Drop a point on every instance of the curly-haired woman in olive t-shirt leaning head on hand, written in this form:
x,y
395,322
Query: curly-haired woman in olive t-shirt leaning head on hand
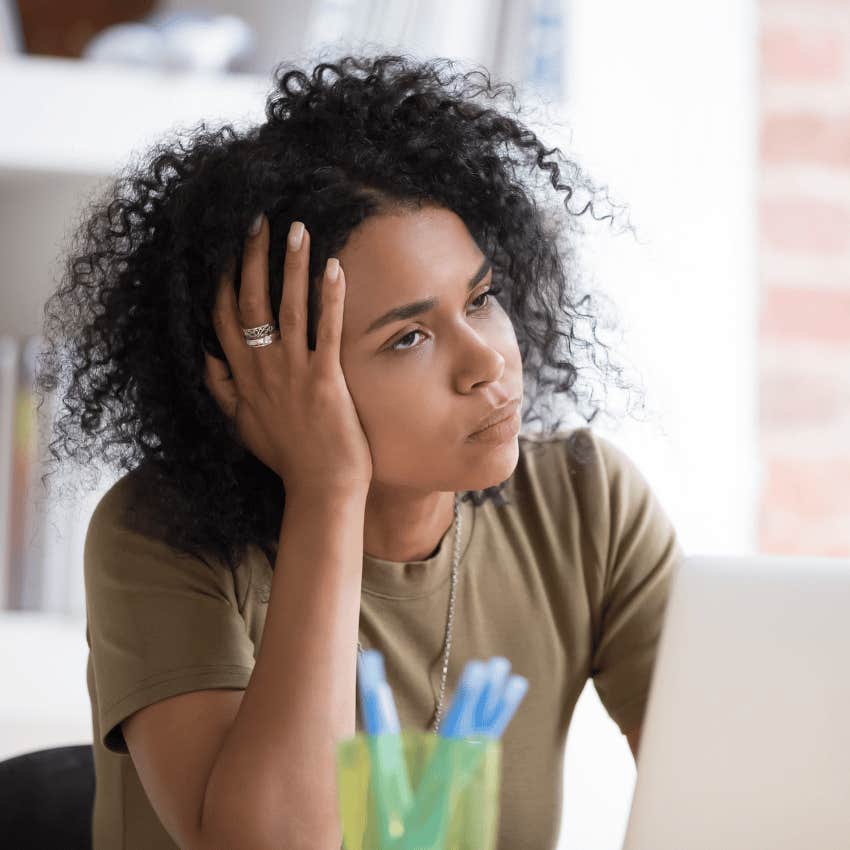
x,y
294,492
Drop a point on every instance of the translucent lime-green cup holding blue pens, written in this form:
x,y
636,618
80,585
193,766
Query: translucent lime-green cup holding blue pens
x,y
455,793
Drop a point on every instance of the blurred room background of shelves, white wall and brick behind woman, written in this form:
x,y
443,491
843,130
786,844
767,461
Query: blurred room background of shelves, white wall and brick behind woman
x,y
725,129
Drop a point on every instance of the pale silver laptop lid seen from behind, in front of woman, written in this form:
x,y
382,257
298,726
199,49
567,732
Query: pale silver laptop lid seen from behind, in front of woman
x,y
746,739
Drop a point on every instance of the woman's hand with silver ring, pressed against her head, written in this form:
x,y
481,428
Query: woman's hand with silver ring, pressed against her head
x,y
291,406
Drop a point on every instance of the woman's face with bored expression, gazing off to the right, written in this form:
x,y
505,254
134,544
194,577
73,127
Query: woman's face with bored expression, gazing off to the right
x,y
422,384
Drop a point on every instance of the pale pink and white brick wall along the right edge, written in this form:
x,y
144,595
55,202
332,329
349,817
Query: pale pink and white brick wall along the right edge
x,y
804,270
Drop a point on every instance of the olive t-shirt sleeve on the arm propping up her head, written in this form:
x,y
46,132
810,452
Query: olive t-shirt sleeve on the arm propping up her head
x,y
160,622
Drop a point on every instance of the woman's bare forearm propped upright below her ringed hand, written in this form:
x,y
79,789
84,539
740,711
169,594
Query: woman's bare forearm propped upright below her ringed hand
x,y
273,784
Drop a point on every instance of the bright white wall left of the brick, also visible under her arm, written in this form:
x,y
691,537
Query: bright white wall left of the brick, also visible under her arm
x,y
662,102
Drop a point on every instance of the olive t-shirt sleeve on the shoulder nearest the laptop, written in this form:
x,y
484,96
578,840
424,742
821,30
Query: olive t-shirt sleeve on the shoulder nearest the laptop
x,y
642,558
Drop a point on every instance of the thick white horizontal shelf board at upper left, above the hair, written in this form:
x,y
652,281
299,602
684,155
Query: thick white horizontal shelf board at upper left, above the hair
x,y
70,116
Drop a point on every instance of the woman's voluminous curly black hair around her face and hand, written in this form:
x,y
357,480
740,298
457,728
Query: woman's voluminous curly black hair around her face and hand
x,y
125,330
